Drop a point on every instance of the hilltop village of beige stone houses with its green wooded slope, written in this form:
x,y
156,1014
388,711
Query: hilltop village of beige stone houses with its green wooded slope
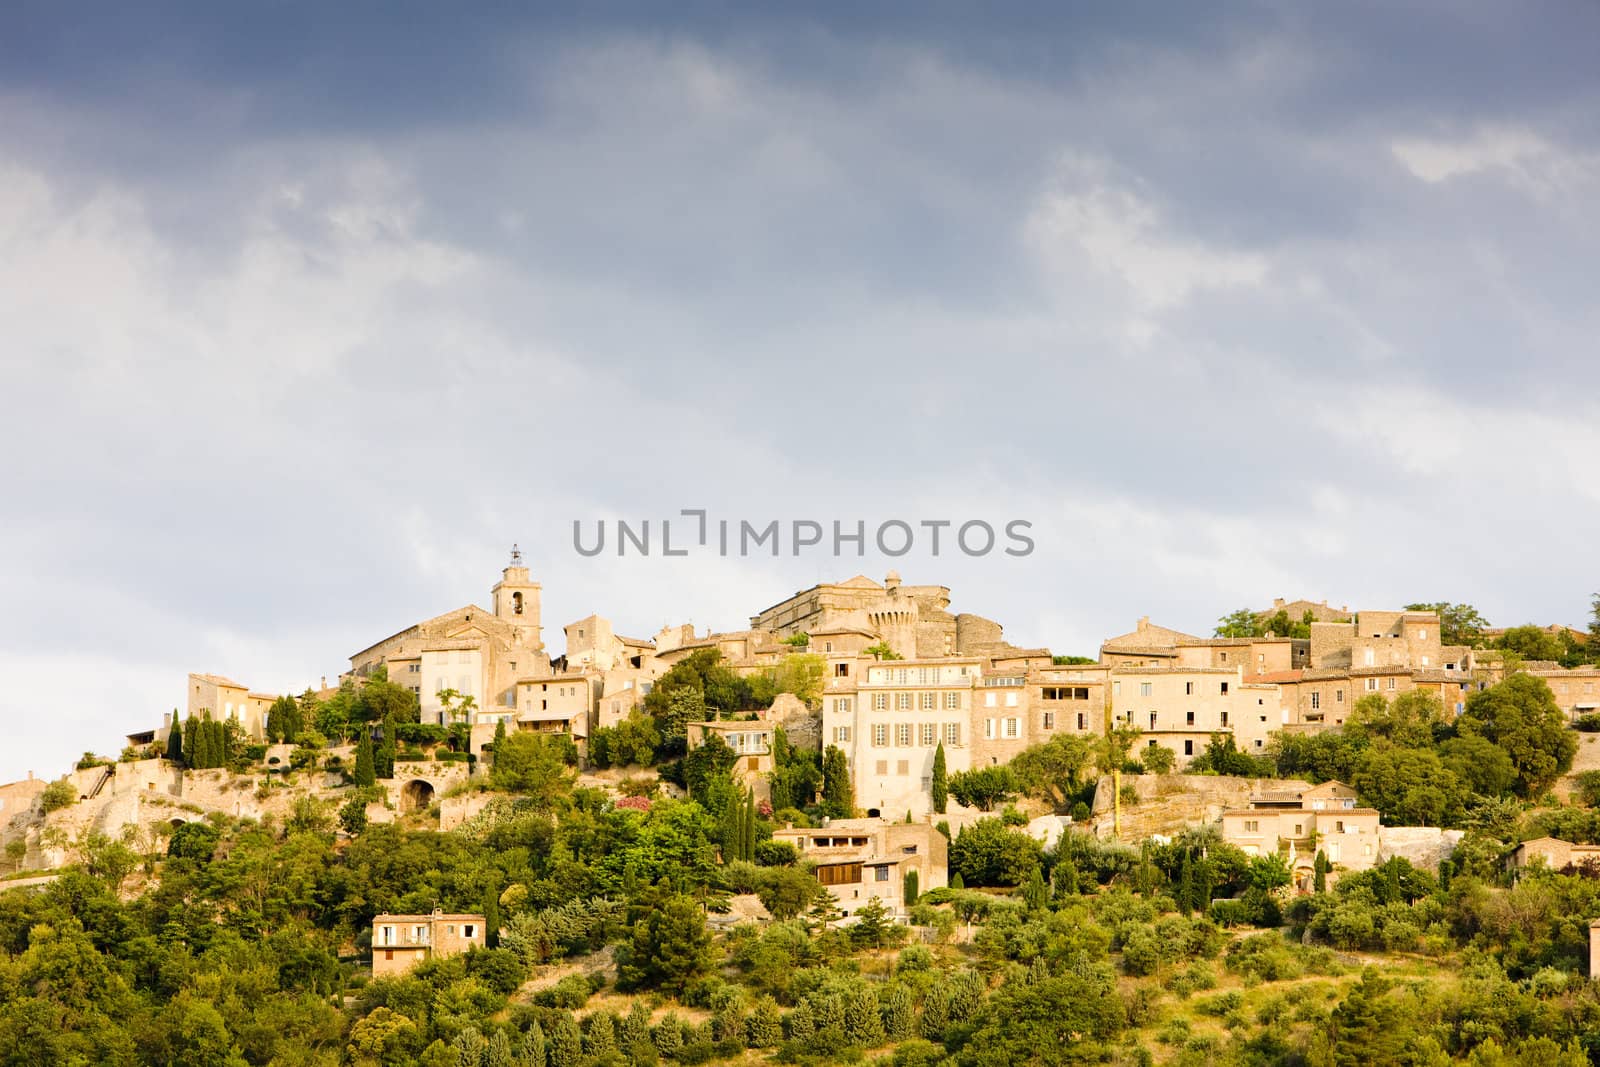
x,y
862,826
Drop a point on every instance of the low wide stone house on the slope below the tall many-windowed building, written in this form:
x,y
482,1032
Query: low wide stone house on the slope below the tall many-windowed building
x,y
860,860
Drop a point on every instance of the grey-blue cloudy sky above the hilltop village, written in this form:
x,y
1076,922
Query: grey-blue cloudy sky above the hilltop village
x,y
306,316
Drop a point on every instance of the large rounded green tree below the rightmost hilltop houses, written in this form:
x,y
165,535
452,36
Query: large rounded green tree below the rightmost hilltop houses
x,y
1522,717
